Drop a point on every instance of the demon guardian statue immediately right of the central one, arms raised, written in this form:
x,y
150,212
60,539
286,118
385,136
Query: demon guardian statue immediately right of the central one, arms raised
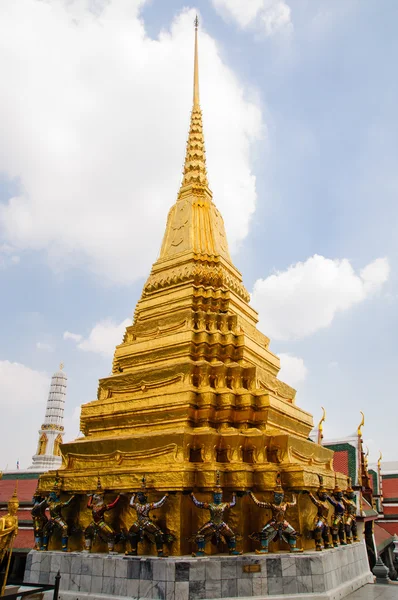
x,y
277,526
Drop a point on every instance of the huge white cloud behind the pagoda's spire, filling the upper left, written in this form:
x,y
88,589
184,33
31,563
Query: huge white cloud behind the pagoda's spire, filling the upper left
x,y
97,136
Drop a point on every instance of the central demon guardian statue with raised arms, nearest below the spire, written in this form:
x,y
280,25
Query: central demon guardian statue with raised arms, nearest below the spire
x,y
216,525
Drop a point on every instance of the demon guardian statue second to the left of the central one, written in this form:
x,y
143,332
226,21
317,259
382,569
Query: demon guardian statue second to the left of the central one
x,y
98,527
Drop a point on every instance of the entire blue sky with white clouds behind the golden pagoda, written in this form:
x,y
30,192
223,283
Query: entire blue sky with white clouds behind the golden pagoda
x,y
299,106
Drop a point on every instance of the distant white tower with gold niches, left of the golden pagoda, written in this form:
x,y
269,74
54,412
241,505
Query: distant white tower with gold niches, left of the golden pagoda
x,y
48,454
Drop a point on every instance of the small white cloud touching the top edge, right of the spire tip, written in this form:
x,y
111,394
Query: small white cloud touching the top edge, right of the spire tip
x,y
269,16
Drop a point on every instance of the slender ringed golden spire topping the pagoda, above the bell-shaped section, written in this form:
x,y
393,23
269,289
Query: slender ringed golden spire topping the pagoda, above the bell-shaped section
x,y
194,173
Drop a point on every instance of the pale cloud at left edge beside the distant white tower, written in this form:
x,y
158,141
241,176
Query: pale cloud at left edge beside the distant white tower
x,y
23,397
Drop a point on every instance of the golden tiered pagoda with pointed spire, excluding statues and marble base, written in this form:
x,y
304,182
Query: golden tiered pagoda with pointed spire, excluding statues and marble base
x,y
194,386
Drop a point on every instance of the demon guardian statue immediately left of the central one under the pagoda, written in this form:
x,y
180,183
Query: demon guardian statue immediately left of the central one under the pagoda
x,y
143,525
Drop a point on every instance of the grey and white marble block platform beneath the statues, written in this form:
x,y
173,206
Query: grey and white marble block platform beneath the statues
x,y
331,575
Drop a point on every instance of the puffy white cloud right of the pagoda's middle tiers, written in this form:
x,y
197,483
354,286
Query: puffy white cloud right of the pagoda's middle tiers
x,y
307,296
